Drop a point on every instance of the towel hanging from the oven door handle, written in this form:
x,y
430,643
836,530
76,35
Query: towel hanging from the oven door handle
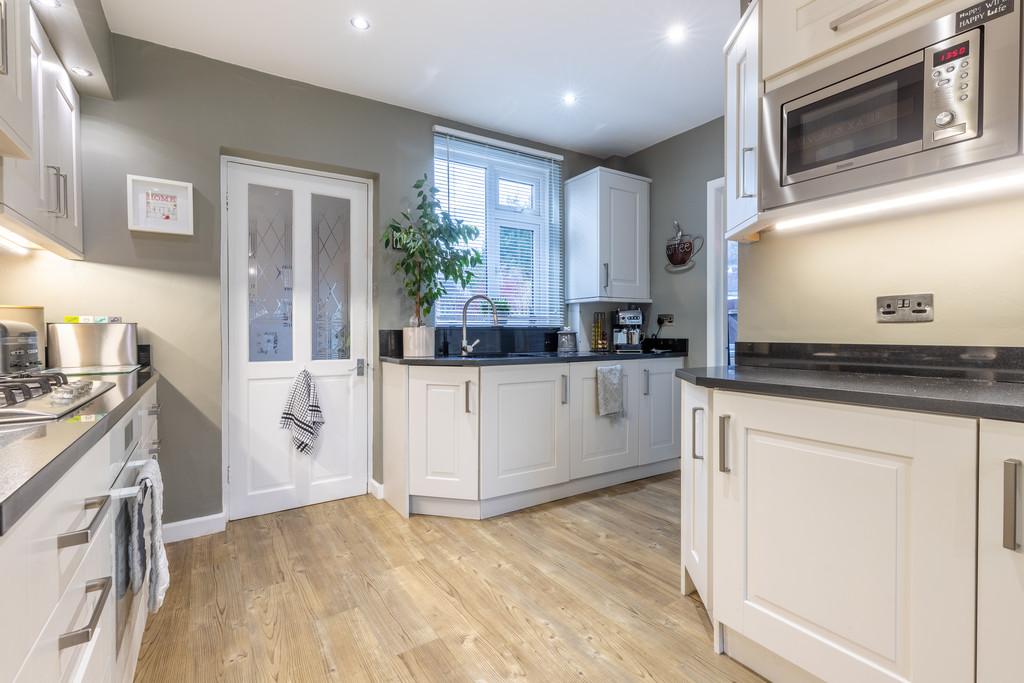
x,y
150,482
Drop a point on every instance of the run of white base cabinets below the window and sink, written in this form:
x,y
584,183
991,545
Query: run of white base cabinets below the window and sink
x,y
476,442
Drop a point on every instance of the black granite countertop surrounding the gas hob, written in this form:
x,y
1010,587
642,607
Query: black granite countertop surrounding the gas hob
x,y
33,458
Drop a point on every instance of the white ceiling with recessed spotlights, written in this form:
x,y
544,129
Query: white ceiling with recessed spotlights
x,y
502,66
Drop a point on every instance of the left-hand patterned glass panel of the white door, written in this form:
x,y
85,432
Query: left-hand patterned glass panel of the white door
x,y
270,274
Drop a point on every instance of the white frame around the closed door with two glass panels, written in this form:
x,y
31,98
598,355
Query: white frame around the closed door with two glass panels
x,y
226,317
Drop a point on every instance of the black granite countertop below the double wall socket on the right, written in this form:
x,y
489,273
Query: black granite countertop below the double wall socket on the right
x,y
967,398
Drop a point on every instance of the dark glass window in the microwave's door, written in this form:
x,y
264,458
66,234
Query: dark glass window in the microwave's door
x,y
884,114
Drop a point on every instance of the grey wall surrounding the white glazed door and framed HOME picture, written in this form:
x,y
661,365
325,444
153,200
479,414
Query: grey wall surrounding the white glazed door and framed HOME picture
x,y
175,114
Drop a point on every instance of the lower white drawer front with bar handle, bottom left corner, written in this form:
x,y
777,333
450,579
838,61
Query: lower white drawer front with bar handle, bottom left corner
x,y
67,650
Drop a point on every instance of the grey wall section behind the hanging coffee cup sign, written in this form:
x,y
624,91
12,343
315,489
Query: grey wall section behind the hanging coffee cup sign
x,y
680,168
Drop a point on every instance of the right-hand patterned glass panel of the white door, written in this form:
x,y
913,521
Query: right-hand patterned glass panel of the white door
x,y
332,254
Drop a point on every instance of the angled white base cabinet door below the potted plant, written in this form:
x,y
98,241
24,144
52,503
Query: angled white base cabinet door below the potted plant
x,y
445,433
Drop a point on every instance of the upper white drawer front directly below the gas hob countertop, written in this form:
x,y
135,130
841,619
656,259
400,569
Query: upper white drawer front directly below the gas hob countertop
x,y
34,571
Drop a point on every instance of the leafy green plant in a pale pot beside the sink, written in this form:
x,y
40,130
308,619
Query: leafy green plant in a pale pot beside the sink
x,y
435,251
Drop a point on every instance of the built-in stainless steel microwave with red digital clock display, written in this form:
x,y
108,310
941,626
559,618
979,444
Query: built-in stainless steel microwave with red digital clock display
x,y
946,96
